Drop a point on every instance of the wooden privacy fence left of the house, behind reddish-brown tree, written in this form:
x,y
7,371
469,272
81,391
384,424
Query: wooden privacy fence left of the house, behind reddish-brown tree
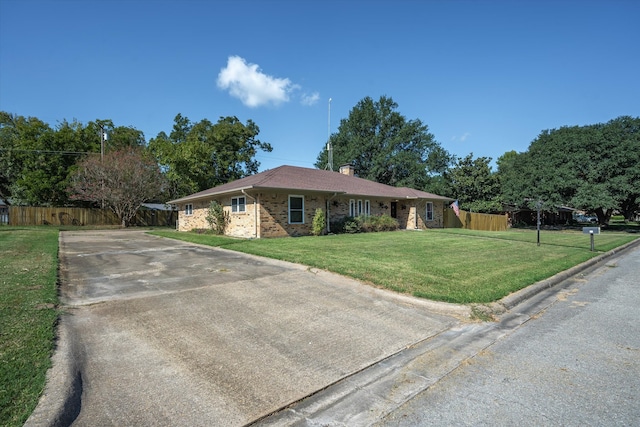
x,y
28,215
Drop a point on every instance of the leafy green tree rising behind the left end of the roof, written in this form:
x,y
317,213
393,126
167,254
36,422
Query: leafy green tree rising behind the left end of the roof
x,y
199,156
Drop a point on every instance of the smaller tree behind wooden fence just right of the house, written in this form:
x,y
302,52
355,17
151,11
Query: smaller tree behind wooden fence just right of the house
x,y
474,184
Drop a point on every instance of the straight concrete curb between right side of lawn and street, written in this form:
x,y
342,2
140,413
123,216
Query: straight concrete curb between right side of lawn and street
x,y
516,298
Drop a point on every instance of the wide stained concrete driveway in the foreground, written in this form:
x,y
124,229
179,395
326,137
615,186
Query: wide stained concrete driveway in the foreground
x,y
171,333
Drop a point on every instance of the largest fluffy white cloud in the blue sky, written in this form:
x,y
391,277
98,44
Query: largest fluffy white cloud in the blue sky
x,y
249,84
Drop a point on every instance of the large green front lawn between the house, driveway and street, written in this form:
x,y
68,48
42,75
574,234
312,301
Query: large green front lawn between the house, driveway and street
x,y
444,265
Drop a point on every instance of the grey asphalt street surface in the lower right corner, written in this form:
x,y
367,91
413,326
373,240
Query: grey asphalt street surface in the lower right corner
x,y
574,363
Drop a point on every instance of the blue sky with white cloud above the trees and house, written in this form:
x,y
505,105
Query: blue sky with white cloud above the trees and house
x,y
485,76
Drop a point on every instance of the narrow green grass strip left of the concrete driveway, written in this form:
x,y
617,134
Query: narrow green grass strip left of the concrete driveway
x,y
28,314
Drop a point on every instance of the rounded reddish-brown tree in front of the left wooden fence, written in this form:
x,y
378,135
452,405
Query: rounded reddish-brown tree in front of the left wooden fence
x,y
122,181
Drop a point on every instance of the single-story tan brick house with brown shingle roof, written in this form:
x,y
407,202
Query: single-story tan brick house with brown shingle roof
x,y
283,201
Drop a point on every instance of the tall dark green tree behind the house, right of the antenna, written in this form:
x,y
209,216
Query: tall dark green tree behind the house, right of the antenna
x,y
384,147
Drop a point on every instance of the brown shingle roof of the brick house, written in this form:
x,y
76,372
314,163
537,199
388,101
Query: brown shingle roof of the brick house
x,y
305,179
